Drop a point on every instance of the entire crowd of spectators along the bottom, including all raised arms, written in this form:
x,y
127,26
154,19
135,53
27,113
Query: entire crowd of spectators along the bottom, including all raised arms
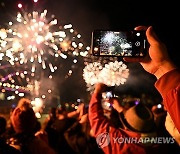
x,y
107,125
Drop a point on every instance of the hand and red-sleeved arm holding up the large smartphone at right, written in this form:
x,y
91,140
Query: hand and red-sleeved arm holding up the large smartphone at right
x,y
158,63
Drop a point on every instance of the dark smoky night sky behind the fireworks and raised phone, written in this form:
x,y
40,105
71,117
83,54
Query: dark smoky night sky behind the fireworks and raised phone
x,y
87,15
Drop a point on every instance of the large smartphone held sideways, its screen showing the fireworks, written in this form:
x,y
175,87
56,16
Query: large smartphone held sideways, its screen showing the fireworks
x,y
119,43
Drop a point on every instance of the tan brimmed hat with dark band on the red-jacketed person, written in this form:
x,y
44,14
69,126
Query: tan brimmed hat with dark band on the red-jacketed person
x,y
138,118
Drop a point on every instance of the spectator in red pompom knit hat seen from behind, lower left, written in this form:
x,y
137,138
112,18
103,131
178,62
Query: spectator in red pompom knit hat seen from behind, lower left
x,y
24,123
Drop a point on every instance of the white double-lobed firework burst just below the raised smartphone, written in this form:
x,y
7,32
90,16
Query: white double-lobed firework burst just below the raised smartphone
x,y
112,74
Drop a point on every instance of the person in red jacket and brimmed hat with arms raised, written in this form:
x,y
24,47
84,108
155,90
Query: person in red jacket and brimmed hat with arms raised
x,y
137,134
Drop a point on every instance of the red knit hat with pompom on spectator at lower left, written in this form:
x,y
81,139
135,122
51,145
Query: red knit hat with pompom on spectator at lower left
x,y
23,119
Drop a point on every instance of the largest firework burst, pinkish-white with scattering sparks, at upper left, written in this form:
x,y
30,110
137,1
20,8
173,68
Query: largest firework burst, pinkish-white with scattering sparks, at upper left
x,y
36,39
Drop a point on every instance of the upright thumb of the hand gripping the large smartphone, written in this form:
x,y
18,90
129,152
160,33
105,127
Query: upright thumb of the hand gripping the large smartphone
x,y
151,36
